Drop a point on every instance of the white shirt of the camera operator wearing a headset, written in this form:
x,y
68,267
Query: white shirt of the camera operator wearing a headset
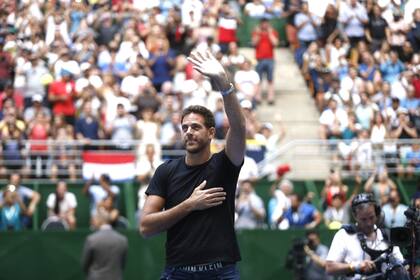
x,y
346,248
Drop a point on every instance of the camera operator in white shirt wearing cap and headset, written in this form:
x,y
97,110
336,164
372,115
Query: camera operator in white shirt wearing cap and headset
x,y
355,247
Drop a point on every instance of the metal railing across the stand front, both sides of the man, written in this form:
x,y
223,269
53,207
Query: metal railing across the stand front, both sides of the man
x,y
310,158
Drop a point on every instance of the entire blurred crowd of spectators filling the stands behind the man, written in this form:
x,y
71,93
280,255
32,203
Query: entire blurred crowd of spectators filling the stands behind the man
x,y
117,70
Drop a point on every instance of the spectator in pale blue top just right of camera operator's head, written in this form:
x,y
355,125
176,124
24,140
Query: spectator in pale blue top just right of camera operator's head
x,y
394,211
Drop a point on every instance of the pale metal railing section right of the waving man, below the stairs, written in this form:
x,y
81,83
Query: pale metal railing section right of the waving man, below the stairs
x,y
314,158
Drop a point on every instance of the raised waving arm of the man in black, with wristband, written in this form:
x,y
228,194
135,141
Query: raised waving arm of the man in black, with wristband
x,y
207,64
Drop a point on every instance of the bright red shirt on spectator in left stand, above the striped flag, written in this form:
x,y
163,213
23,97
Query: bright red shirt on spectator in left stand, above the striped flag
x,y
61,88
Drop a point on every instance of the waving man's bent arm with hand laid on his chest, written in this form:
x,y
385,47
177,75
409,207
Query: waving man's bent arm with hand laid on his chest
x,y
154,220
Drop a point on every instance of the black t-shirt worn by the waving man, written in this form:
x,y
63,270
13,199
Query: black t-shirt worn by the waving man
x,y
204,235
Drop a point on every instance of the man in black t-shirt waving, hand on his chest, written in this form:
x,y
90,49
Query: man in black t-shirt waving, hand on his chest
x,y
192,198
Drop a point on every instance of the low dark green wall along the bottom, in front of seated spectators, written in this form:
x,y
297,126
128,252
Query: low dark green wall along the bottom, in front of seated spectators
x,y
56,255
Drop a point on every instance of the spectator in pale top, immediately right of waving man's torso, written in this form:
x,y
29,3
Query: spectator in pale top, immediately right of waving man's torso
x,y
250,209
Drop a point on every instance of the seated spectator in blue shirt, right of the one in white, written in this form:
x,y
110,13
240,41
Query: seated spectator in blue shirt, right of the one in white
x,y
301,214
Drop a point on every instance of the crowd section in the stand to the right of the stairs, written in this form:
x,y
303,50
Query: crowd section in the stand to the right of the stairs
x,y
361,62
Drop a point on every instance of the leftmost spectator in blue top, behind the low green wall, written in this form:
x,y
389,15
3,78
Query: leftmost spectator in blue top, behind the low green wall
x,y
12,210
